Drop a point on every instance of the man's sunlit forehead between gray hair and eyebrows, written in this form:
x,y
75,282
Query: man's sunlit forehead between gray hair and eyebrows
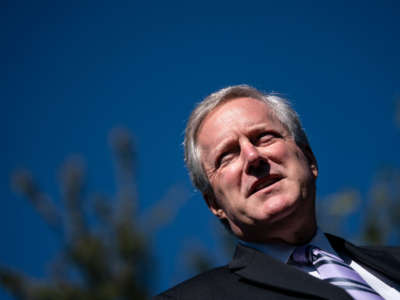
x,y
240,114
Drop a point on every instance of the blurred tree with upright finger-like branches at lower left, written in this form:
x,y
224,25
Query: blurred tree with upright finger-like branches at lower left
x,y
105,251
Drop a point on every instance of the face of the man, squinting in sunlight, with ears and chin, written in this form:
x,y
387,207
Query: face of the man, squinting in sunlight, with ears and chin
x,y
262,181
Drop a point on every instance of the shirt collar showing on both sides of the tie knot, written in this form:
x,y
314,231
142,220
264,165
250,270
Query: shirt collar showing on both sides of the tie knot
x,y
282,252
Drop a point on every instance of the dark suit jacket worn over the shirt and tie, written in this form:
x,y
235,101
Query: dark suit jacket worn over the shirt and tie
x,y
254,275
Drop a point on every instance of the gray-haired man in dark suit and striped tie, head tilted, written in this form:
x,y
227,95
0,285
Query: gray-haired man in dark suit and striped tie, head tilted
x,y
249,156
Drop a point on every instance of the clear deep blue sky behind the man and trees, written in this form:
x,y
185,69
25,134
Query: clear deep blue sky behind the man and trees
x,y
71,72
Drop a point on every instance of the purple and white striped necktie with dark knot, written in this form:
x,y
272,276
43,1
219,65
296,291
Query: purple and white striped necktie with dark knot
x,y
334,270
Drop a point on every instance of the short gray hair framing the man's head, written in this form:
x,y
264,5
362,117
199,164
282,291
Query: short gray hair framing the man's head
x,y
280,108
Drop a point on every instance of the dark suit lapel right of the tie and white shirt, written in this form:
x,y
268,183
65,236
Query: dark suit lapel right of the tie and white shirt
x,y
375,258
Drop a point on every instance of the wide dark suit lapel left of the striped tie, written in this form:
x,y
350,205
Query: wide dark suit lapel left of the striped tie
x,y
259,268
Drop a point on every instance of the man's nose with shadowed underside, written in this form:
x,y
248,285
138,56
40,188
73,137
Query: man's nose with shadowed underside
x,y
255,163
